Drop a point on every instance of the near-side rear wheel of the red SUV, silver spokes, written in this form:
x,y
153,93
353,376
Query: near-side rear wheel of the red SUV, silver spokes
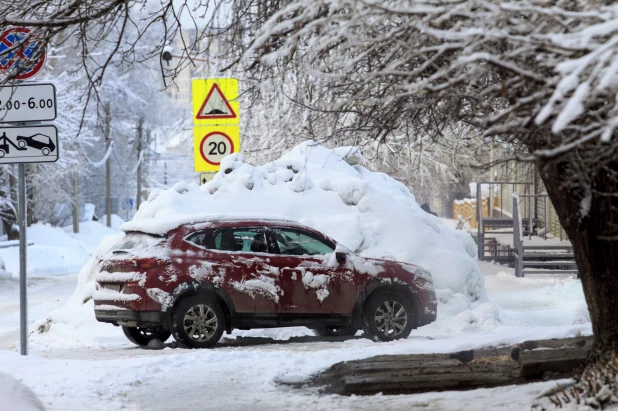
x,y
198,322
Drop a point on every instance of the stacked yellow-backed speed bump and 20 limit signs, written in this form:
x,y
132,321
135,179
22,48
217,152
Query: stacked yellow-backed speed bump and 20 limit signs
x,y
216,115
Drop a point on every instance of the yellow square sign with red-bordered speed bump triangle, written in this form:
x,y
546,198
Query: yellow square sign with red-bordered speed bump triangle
x,y
215,101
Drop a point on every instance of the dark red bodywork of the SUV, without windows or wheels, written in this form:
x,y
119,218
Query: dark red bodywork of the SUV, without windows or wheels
x,y
256,285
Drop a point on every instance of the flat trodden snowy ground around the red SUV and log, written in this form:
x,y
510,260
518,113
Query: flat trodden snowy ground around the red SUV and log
x,y
241,375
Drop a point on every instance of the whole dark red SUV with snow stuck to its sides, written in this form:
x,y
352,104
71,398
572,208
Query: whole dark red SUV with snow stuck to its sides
x,y
199,280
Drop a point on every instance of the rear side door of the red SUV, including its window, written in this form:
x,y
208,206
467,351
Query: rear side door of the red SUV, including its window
x,y
235,259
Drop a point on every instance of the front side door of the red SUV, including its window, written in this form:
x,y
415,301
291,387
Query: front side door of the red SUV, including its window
x,y
312,282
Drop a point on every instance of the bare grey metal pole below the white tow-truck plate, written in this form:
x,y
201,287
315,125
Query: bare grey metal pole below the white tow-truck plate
x,y
23,296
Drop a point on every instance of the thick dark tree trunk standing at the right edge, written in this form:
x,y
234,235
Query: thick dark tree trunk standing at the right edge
x,y
590,219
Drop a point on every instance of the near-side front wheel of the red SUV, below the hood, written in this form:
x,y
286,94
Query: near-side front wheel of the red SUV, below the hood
x,y
388,316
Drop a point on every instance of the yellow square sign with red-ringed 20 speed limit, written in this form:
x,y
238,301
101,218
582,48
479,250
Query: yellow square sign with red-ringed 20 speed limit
x,y
212,143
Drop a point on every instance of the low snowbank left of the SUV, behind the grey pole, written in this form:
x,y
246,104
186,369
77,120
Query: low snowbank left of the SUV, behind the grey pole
x,y
56,251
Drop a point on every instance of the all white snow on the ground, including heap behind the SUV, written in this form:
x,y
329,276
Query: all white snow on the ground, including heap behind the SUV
x,y
77,363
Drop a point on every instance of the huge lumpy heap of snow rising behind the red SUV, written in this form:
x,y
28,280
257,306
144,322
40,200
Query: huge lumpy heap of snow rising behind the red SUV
x,y
368,212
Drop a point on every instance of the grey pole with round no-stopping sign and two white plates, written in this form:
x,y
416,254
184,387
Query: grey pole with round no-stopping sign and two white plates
x,y
25,105
